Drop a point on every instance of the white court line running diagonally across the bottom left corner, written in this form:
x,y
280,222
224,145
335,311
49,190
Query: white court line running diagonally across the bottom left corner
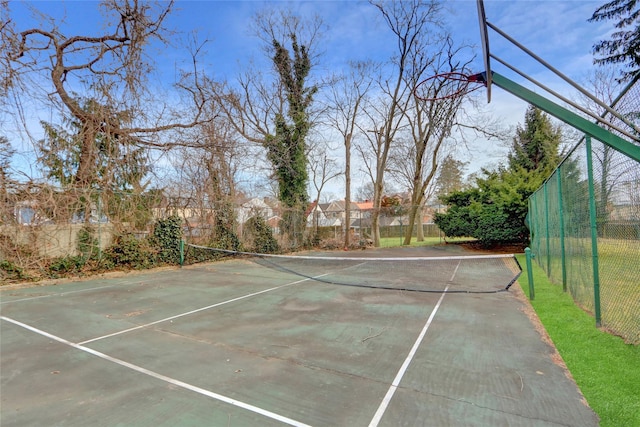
x,y
161,377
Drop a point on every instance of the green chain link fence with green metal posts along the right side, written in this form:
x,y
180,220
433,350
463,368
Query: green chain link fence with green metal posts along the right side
x,y
585,227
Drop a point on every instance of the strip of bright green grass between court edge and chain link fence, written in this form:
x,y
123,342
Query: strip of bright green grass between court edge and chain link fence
x,y
605,368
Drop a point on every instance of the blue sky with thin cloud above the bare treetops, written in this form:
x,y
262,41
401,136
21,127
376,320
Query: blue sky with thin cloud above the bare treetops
x,y
558,31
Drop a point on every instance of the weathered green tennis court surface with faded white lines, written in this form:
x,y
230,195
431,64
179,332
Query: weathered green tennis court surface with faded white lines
x,y
240,343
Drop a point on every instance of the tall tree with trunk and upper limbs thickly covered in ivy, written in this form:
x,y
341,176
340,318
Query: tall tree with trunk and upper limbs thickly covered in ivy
x,y
274,110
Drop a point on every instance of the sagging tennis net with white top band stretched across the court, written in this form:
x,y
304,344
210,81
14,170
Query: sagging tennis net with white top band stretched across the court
x,y
441,274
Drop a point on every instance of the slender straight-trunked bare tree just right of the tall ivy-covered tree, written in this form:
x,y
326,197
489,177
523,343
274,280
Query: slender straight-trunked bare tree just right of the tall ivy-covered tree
x,y
346,98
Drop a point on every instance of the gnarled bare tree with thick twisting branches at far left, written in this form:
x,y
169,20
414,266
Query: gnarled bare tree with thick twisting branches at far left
x,y
112,69
